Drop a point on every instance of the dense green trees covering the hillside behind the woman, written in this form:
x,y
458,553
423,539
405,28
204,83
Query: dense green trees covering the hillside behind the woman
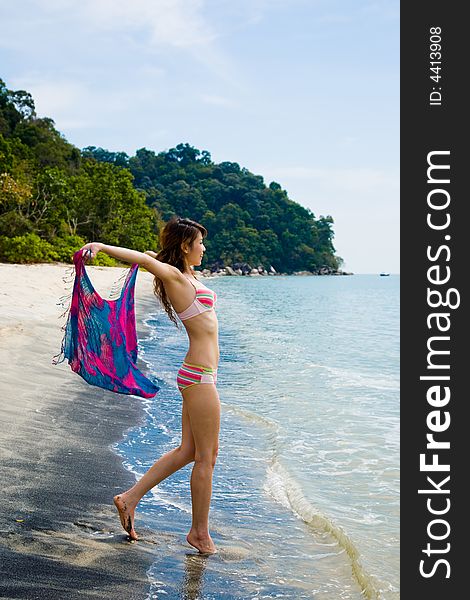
x,y
54,198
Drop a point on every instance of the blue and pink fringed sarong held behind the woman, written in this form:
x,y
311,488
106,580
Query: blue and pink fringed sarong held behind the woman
x,y
100,340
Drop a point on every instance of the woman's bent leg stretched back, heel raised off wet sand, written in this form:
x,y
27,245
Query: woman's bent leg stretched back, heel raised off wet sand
x,y
166,465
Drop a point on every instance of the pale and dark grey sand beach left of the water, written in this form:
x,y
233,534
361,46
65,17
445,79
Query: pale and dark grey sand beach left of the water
x,y
61,536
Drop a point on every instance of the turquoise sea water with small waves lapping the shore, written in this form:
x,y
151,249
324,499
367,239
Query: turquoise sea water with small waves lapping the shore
x,y
305,500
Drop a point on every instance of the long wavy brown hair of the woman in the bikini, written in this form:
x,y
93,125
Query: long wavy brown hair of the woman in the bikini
x,y
176,232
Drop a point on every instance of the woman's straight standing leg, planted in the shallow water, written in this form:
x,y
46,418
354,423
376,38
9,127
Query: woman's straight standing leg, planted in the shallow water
x,y
203,406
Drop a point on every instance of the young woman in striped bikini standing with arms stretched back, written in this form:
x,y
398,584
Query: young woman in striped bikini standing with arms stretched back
x,y
180,292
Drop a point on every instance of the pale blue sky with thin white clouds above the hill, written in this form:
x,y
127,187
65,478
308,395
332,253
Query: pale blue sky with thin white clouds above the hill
x,y
305,93
